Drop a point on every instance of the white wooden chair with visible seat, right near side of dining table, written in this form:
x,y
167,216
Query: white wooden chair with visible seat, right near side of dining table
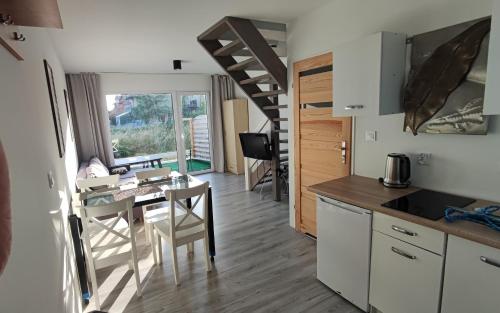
x,y
185,229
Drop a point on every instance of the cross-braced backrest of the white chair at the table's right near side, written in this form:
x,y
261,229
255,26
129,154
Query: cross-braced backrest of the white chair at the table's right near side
x,y
197,195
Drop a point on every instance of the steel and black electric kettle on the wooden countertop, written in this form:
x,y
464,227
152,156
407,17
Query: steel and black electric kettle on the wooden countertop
x,y
397,171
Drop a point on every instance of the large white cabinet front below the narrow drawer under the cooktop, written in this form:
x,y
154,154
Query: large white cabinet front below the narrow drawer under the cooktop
x,y
404,278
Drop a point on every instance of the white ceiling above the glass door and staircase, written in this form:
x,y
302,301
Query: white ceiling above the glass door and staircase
x,y
144,36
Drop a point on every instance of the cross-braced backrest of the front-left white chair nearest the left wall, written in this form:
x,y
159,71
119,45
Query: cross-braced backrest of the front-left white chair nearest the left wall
x,y
104,232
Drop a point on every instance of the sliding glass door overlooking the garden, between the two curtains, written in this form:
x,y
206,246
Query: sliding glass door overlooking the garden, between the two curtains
x,y
173,127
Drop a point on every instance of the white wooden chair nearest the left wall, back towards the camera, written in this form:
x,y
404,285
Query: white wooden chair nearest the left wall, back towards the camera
x,y
109,241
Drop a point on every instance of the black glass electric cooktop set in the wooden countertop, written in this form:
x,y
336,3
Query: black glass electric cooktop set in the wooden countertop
x,y
427,203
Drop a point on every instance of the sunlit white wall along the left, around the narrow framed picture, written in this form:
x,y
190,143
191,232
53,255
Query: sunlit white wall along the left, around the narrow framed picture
x,y
40,275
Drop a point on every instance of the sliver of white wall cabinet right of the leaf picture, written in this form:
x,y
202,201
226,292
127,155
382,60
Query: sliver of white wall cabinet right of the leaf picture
x,y
492,92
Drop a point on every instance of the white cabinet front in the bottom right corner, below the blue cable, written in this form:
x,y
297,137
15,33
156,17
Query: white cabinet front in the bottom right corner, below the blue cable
x,y
471,278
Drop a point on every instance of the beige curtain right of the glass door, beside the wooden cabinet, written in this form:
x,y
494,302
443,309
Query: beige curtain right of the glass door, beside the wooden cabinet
x,y
222,89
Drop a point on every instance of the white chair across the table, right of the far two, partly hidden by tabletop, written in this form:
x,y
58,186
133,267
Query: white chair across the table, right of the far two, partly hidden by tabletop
x,y
153,212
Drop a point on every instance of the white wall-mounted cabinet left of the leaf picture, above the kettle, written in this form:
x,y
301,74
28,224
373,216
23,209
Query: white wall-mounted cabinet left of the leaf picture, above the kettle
x,y
368,75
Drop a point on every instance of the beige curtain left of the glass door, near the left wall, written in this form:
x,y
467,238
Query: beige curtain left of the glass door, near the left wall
x,y
90,117
